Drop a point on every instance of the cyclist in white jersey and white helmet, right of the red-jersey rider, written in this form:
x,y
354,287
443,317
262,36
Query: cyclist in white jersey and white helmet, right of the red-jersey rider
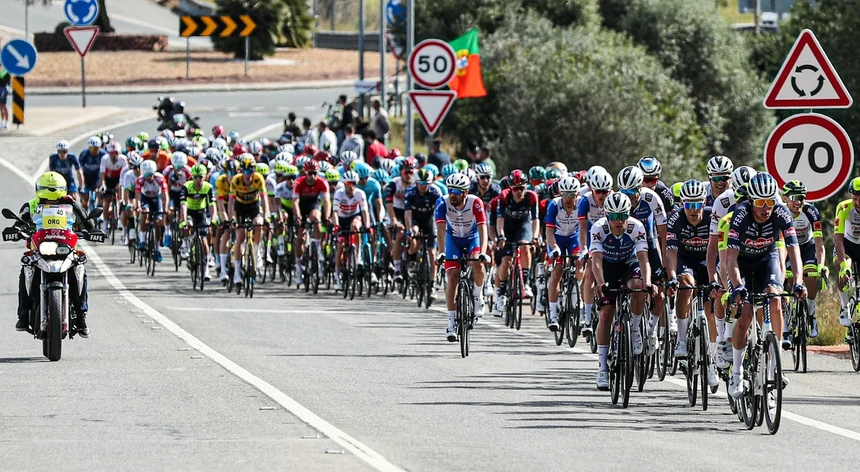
x,y
349,212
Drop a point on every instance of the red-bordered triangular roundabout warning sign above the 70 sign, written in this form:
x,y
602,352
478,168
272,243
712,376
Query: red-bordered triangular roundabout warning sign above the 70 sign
x,y
807,79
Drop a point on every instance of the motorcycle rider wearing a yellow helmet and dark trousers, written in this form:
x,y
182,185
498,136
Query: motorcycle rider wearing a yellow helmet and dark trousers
x,y
51,189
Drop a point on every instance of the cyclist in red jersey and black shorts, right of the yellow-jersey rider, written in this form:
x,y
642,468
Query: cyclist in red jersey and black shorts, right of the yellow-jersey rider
x,y
311,203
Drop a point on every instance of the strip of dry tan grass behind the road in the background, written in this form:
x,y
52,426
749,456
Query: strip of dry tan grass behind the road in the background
x,y
146,68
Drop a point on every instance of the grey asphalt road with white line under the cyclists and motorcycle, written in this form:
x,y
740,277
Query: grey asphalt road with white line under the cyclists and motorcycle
x,y
373,378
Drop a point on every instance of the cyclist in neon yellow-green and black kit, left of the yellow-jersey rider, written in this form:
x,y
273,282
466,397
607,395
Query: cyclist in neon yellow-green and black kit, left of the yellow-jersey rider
x,y
197,202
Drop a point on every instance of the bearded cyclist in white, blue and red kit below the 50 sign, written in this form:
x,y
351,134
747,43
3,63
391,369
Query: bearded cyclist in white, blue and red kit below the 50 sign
x,y
461,224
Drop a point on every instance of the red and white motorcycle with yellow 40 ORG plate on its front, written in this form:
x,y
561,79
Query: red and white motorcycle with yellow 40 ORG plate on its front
x,y
48,263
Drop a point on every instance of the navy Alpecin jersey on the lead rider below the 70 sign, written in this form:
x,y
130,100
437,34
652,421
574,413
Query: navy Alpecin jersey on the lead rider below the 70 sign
x,y
754,239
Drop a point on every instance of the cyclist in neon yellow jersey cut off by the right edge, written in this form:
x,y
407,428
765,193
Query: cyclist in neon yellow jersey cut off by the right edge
x,y
846,242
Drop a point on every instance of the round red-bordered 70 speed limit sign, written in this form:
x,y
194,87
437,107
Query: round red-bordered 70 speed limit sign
x,y
811,148
